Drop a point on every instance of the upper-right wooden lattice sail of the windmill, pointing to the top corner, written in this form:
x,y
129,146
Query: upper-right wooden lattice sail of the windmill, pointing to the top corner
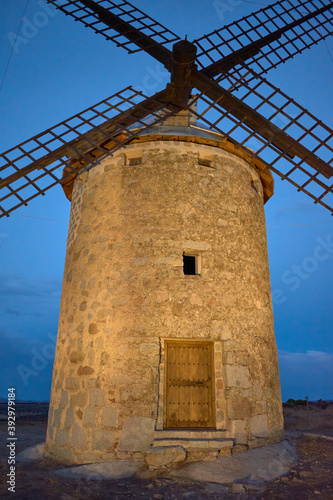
x,y
298,25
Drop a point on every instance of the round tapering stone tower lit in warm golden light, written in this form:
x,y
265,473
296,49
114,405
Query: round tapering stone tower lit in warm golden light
x,y
166,326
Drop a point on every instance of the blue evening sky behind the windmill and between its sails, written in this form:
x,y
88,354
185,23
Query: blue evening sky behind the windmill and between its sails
x,y
58,69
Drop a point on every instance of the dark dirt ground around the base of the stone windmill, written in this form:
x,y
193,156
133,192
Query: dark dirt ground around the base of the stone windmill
x,y
310,478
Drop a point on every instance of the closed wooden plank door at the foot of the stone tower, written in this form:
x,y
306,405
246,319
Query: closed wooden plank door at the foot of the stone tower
x,y
189,395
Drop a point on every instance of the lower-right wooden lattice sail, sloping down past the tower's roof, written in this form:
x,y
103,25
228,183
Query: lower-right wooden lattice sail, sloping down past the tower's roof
x,y
291,141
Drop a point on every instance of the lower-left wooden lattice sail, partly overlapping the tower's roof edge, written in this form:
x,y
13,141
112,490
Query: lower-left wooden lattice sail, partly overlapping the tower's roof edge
x,y
36,165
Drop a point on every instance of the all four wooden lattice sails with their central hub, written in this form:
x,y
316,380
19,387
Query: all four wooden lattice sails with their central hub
x,y
239,103
